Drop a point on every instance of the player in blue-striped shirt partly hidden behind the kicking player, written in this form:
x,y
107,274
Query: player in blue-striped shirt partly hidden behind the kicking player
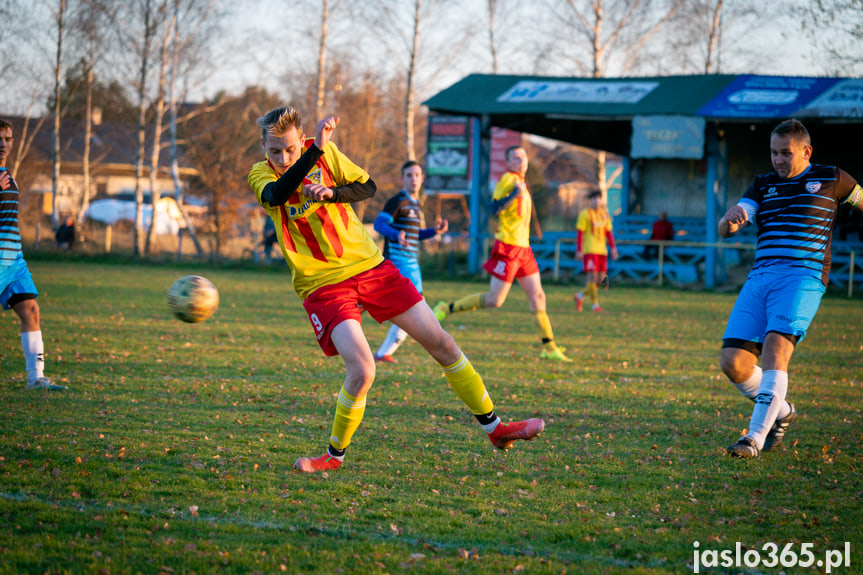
x,y
400,223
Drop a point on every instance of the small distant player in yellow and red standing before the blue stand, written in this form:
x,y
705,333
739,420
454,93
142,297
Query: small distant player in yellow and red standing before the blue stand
x,y
593,231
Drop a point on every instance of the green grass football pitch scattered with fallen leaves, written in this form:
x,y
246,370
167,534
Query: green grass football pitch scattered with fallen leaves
x,y
172,451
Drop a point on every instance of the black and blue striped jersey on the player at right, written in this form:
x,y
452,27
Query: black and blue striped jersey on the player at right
x,y
795,219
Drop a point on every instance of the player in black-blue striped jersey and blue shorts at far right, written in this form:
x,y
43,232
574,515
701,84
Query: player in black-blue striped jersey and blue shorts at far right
x,y
795,209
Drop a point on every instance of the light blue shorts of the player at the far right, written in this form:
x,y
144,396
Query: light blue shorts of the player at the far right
x,y
772,302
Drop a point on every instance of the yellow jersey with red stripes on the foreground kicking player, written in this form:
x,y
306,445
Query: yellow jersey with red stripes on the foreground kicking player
x,y
323,242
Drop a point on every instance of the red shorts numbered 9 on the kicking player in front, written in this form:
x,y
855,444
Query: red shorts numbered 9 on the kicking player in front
x,y
382,291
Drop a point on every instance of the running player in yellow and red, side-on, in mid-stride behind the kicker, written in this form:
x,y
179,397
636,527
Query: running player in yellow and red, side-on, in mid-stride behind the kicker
x,y
511,258
